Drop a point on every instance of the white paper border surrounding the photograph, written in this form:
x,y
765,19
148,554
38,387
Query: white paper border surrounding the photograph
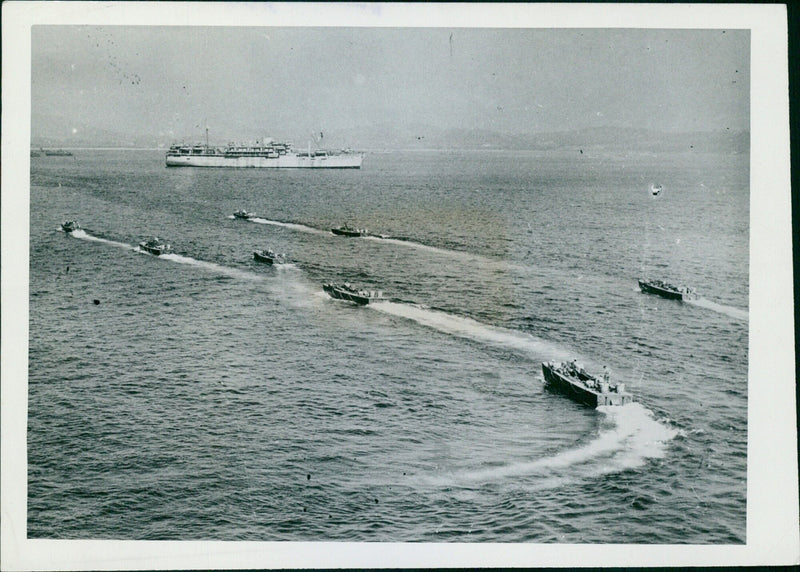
x,y
772,495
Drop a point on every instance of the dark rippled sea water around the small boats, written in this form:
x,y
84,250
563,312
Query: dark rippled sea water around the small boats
x,y
209,397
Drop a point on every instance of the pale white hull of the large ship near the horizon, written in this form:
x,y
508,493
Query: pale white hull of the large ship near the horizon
x,y
346,161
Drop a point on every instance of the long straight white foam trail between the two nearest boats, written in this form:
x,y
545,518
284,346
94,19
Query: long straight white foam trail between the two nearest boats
x,y
474,330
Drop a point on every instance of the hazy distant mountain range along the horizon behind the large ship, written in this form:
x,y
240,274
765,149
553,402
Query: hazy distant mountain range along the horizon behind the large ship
x,y
54,133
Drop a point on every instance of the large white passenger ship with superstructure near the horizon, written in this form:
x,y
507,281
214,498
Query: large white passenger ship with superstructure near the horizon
x,y
264,154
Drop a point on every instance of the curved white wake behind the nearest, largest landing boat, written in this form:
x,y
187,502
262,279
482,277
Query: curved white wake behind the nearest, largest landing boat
x,y
629,436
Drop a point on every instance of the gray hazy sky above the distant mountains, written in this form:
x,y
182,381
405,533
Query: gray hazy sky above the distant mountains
x,y
285,81
